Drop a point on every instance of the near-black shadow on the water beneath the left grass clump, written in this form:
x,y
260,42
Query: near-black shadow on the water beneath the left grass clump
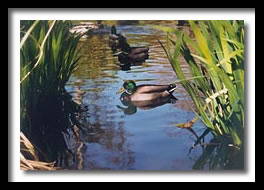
x,y
54,119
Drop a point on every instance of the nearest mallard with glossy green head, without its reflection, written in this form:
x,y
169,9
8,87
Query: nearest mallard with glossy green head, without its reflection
x,y
147,92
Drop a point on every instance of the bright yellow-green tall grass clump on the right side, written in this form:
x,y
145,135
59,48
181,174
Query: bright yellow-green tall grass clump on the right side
x,y
216,61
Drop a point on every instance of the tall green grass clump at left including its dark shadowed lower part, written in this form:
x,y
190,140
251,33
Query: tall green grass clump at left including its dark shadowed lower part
x,y
48,55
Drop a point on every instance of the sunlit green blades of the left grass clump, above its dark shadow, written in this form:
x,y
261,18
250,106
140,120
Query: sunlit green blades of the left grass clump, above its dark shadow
x,y
48,55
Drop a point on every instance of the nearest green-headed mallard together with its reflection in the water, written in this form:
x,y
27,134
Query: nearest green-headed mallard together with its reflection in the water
x,y
145,96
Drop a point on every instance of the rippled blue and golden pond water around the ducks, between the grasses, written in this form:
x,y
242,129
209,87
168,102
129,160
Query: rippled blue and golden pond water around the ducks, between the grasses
x,y
115,137
